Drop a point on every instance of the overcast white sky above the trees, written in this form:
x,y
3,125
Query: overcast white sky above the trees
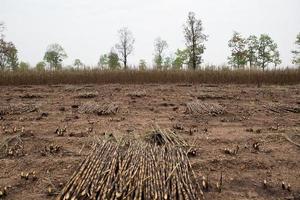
x,y
88,28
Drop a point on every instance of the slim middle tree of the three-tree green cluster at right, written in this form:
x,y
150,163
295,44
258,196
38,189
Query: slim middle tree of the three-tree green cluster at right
x,y
252,50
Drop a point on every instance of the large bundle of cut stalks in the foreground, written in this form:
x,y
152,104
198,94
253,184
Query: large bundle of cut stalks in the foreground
x,y
133,170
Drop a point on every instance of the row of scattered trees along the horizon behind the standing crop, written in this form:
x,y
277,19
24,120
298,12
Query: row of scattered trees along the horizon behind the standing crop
x,y
253,51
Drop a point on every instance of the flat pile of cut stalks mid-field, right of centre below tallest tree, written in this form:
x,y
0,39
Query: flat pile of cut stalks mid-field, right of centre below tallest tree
x,y
200,107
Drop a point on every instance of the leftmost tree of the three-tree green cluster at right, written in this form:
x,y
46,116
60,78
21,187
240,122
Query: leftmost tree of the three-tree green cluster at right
x,y
237,44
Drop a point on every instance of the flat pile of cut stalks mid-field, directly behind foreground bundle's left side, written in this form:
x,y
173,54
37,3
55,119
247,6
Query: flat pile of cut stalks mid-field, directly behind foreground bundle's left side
x,y
94,108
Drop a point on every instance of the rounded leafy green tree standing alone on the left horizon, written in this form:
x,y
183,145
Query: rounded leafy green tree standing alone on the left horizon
x,y
54,55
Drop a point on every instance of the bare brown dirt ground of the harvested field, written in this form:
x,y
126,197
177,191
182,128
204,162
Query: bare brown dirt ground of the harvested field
x,y
252,117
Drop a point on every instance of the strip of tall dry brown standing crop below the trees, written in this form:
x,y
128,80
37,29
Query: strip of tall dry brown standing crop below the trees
x,y
96,76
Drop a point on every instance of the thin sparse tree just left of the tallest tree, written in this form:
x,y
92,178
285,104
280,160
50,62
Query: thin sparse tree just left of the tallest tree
x,y
159,47
